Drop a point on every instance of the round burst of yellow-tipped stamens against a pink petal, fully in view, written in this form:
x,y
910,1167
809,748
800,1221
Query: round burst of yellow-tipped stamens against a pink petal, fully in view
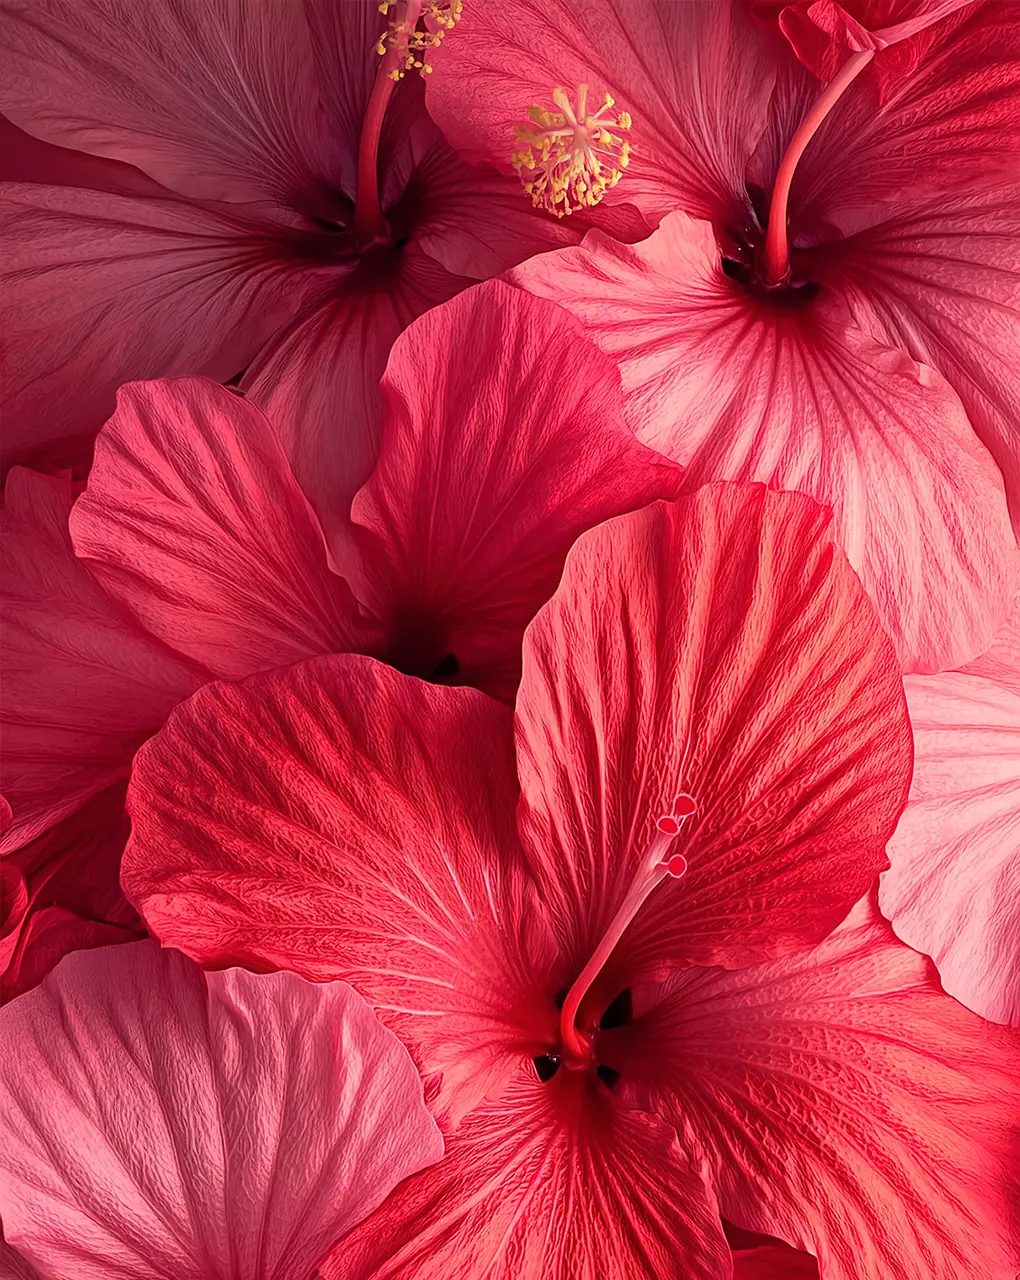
x,y
566,159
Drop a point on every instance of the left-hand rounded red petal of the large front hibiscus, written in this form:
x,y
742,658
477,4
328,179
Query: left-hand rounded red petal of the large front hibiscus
x,y
339,819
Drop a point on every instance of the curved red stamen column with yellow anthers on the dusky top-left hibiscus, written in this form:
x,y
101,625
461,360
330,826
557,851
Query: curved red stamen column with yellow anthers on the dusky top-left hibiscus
x,y
415,29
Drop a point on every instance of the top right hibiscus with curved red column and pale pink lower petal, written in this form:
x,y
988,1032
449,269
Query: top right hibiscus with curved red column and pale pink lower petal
x,y
831,300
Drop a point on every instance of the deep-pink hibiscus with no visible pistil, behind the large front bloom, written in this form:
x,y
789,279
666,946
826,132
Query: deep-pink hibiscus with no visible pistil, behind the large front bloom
x,y
199,557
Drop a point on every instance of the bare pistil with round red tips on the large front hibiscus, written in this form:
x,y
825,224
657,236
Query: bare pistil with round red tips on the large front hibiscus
x,y
657,866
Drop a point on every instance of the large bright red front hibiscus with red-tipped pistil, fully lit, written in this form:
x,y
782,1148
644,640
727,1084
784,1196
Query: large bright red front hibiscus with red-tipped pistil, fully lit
x,y
711,753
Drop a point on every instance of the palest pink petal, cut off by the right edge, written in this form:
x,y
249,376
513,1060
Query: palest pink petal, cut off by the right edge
x,y
953,889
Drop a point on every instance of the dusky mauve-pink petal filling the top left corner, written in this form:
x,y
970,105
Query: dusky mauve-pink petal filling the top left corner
x,y
214,102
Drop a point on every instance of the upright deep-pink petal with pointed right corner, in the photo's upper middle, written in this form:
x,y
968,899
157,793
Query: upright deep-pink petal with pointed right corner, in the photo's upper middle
x,y
477,500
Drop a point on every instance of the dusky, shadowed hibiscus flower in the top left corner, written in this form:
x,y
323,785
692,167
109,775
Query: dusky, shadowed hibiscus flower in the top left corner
x,y
269,199
